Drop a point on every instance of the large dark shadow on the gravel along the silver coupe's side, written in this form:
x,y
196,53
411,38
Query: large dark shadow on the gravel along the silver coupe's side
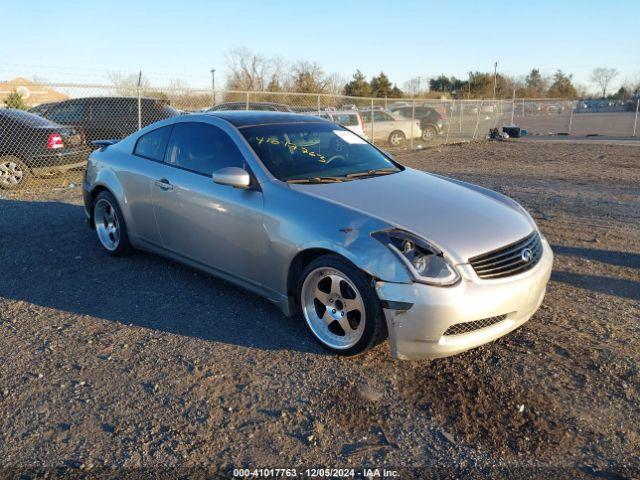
x,y
52,259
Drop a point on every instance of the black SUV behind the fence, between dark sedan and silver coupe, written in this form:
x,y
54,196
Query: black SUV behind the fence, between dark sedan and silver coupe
x,y
107,117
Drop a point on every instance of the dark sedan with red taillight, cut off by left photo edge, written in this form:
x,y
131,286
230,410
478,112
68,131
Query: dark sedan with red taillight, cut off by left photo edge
x,y
34,146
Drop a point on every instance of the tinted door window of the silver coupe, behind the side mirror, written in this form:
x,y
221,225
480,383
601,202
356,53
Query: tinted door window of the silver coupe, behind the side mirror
x,y
202,148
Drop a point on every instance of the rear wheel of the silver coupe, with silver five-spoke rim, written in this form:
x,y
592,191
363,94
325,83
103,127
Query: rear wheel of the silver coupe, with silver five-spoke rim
x,y
110,225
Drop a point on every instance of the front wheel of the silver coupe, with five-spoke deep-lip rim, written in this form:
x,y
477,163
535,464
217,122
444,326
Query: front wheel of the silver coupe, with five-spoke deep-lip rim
x,y
339,306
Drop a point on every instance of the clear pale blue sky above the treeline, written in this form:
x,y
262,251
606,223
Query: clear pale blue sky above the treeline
x,y
79,41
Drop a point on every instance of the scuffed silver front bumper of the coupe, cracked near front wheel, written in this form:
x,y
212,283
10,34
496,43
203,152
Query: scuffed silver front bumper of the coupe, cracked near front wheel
x,y
419,331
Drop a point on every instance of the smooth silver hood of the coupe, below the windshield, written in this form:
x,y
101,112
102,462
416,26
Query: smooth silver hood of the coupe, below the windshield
x,y
461,221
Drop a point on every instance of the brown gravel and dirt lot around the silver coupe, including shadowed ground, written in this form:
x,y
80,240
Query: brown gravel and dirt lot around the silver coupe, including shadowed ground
x,y
140,362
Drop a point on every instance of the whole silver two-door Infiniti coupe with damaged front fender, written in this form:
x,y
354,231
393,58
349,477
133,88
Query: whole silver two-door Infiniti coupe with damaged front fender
x,y
326,226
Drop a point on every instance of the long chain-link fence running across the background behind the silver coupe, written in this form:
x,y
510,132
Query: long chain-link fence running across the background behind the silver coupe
x,y
45,141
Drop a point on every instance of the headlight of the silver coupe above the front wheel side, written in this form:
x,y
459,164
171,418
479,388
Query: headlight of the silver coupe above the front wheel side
x,y
425,262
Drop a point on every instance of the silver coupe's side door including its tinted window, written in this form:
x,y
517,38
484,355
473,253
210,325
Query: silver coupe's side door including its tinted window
x,y
218,226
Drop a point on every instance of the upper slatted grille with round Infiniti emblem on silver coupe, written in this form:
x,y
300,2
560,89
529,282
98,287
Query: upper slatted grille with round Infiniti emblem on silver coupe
x,y
509,260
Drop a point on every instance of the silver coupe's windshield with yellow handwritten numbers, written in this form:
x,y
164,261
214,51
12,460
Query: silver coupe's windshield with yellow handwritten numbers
x,y
323,150
